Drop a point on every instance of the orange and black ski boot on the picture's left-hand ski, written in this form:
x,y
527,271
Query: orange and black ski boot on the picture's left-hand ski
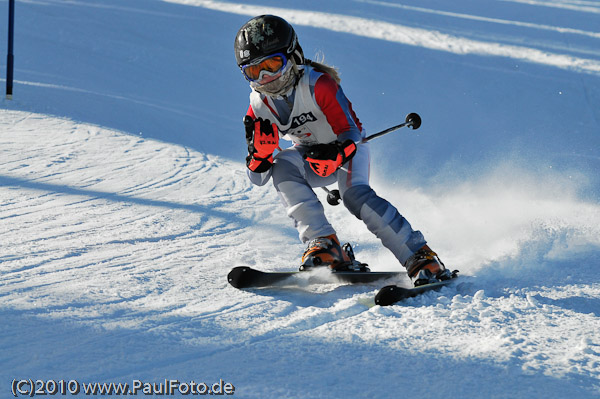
x,y
326,251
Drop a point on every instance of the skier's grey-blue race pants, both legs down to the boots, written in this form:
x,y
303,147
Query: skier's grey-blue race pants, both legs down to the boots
x,y
294,180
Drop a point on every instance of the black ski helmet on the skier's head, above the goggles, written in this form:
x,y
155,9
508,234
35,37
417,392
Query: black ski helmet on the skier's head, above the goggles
x,y
265,35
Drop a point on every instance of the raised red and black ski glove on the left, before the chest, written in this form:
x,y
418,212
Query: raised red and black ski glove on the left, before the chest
x,y
263,139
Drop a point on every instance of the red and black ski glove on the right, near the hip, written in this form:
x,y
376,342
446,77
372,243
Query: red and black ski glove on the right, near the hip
x,y
325,159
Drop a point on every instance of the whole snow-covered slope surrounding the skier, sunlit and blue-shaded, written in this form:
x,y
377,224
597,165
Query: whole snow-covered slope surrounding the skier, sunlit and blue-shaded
x,y
124,201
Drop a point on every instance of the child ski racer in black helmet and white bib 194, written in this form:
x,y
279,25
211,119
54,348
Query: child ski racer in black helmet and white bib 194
x,y
301,100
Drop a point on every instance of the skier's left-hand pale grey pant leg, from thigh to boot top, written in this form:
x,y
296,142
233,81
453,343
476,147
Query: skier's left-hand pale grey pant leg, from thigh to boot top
x,y
293,179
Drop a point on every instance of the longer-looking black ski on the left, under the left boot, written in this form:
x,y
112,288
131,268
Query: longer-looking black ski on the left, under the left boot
x,y
247,277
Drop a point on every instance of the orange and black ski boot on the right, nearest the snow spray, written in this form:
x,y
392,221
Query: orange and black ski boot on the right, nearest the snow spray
x,y
424,267
